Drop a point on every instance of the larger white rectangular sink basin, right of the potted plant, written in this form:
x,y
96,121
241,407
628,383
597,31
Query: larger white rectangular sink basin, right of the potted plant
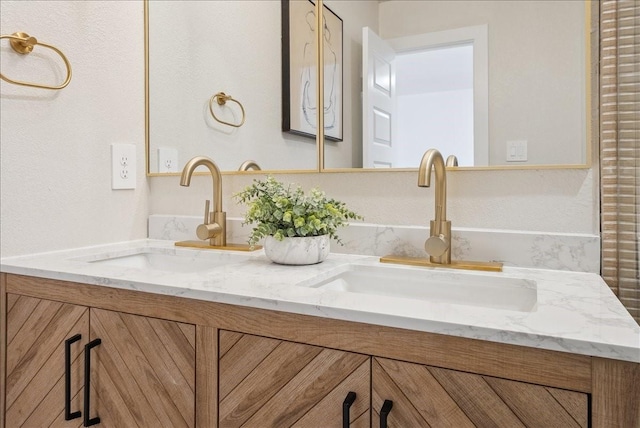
x,y
452,287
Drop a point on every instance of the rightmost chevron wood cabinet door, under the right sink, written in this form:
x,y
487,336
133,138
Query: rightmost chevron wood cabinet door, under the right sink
x,y
426,396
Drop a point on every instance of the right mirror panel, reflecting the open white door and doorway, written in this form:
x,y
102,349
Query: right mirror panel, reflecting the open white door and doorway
x,y
496,83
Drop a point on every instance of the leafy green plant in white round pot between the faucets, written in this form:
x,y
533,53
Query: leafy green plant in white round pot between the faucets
x,y
296,227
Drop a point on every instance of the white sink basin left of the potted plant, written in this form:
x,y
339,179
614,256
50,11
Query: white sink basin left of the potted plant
x,y
168,260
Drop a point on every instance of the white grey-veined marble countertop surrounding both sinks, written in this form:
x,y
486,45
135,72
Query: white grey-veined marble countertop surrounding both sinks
x,y
574,312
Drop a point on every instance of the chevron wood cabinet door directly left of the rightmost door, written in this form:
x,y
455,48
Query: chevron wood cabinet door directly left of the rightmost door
x,y
266,382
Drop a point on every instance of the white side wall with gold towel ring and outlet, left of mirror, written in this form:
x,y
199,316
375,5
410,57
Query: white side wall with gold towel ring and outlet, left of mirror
x,y
55,145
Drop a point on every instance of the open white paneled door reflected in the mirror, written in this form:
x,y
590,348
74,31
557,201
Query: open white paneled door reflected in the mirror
x,y
379,83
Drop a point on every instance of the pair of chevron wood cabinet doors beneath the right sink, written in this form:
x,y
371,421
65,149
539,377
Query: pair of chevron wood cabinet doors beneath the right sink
x,y
265,382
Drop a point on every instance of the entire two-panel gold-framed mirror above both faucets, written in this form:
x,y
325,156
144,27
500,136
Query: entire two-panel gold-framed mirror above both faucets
x,y
522,92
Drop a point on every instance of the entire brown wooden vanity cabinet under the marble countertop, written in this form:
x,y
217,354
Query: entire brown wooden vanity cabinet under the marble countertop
x,y
170,361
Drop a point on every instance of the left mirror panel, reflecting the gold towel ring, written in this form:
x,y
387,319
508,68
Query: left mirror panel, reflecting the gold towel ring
x,y
197,49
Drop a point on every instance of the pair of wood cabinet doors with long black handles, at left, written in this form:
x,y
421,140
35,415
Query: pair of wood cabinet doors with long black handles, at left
x,y
142,369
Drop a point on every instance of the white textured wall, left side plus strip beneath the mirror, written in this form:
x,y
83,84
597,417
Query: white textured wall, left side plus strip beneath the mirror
x,y
55,188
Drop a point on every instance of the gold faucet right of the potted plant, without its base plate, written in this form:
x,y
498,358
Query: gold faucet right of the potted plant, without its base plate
x,y
438,245
